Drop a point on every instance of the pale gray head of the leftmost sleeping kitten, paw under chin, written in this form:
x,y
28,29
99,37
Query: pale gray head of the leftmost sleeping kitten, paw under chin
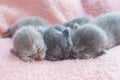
x,y
28,44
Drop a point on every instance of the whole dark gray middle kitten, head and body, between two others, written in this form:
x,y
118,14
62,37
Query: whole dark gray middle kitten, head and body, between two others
x,y
56,40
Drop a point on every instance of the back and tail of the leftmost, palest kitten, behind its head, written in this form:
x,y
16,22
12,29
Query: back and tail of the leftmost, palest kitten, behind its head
x,y
30,20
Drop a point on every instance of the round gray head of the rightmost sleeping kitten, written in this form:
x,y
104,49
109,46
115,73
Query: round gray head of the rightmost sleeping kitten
x,y
88,40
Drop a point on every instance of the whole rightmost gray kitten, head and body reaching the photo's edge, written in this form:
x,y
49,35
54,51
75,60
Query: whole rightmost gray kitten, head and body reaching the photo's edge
x,y
90,40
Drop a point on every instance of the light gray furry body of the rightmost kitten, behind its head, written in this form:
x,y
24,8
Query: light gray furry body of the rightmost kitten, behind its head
x,y
110,23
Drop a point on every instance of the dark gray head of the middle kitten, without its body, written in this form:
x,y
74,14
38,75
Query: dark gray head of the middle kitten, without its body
x,y
58,42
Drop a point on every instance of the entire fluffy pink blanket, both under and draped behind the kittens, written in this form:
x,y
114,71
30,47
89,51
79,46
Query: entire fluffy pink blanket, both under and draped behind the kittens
x,y
105,67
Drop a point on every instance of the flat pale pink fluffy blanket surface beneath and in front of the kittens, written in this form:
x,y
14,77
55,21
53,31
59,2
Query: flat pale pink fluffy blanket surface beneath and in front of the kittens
x,y
106,67
